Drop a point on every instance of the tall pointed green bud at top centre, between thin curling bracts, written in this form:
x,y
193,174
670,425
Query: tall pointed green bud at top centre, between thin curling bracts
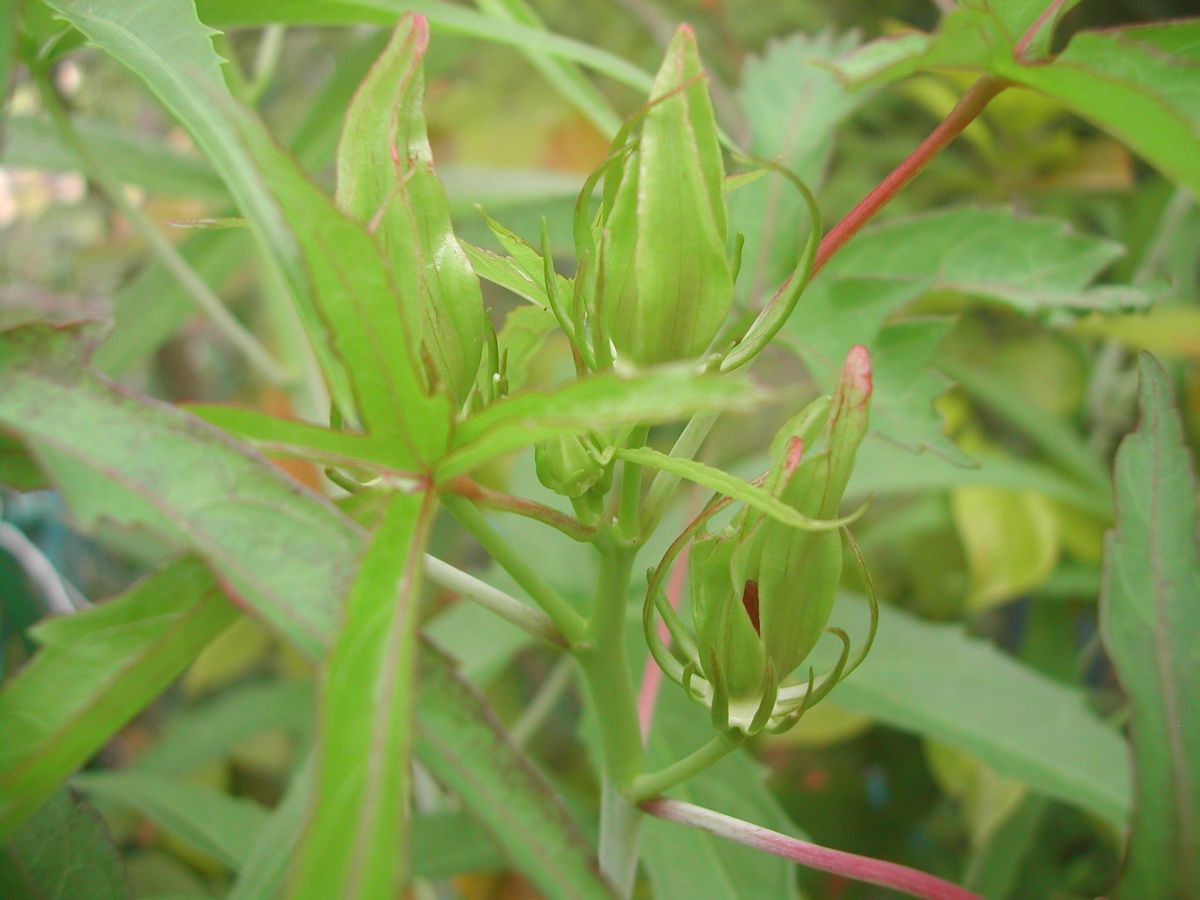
x,y
665,285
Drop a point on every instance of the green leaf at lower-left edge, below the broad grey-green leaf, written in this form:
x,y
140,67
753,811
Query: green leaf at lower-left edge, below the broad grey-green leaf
x,y
95,673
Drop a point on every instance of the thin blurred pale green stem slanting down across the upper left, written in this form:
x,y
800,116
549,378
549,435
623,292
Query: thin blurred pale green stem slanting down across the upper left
x,y
201,293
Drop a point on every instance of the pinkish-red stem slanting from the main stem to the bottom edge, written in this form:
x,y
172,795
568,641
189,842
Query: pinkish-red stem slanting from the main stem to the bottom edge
x,y
851,866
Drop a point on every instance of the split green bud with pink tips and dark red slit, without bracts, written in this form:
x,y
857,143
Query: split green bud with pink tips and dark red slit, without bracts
x,y
763,592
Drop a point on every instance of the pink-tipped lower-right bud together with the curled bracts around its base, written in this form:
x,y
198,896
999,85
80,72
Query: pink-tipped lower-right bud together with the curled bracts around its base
x,y
763,591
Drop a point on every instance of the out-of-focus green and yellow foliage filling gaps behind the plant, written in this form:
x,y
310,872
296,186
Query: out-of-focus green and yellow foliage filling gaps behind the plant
x,y
1012,560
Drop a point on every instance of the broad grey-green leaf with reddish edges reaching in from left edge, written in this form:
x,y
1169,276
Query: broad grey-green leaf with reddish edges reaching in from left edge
x,y
284,549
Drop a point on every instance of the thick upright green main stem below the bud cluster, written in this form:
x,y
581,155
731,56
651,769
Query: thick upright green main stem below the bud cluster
x,y
610,682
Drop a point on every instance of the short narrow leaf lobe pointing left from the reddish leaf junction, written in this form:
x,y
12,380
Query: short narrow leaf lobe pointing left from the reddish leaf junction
x,y
291,437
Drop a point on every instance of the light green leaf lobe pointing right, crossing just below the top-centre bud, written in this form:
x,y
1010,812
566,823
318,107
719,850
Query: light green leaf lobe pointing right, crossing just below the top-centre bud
x,y
596,403
